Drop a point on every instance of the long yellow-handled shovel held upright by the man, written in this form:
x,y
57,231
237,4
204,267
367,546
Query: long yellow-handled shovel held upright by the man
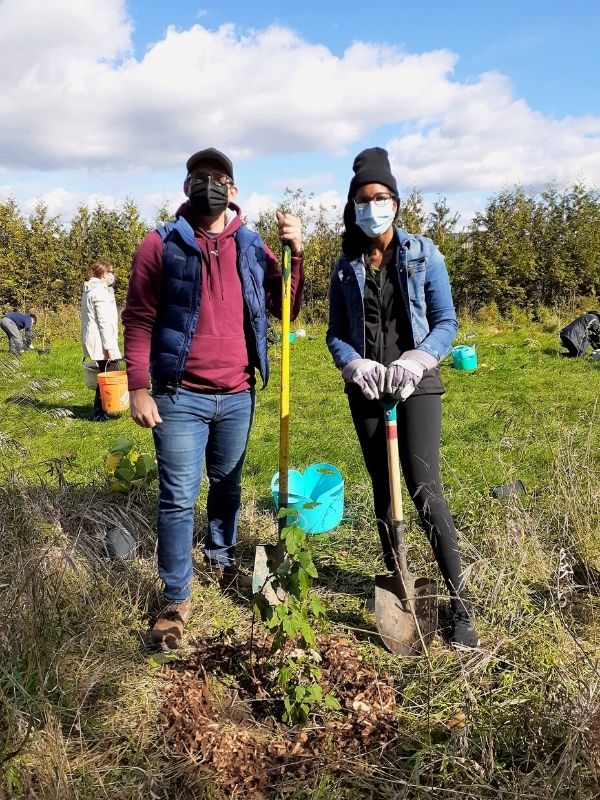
x,y
268,557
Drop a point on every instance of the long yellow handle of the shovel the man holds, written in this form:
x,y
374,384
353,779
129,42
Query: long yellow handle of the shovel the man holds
x,y
284,384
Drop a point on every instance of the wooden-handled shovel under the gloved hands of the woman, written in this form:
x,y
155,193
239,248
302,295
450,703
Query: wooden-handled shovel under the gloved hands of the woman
x,y
405,606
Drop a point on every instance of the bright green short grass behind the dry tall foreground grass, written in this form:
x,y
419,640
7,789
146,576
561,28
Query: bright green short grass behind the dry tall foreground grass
x,y
501,422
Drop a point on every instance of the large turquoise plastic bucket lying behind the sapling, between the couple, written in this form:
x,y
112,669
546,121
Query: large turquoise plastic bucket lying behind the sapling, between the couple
x,y
321,484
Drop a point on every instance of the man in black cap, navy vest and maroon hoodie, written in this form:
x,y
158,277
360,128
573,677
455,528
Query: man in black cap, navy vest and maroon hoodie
x,y
195,317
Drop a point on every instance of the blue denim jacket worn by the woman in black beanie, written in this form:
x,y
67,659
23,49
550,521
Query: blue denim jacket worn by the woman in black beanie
x,y
426,292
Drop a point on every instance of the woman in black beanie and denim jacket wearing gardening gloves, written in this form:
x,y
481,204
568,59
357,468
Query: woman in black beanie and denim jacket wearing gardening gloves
x,y
391,321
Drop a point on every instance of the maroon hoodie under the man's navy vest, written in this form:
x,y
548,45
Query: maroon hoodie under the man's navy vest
x,y
219,359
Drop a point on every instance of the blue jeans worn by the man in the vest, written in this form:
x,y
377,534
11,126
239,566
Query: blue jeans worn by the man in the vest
x,y
196,427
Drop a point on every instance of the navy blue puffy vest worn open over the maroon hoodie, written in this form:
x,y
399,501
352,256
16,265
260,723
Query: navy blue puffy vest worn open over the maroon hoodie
x,y
180,300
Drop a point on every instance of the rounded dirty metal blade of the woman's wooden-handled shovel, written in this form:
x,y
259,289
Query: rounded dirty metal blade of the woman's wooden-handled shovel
x,y
405,612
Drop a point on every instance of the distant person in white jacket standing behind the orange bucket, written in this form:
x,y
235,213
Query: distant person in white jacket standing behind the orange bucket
x,y
100,324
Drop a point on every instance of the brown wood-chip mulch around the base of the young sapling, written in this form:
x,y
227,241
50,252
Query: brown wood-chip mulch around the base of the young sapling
x,y
222,707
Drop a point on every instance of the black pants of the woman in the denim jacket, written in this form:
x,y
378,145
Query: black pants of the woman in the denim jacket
x,y
419,429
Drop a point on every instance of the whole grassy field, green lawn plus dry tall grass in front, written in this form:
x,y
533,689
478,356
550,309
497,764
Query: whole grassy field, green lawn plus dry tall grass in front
x,y
81,700
